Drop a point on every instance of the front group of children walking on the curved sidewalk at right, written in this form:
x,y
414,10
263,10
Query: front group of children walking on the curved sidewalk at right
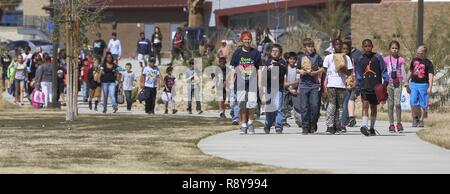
x,y
300,80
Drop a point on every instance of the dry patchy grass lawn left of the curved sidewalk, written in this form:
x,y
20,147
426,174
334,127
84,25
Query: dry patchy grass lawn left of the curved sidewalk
x,y
43,142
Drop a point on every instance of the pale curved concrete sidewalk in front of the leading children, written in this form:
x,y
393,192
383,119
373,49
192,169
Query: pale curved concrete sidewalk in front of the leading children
x,y
345,153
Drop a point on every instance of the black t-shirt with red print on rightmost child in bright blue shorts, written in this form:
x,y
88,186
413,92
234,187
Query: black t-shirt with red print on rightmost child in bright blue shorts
x,y
420,68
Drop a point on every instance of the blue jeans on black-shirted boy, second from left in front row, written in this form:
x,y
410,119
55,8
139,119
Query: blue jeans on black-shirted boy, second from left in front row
x,y
277,115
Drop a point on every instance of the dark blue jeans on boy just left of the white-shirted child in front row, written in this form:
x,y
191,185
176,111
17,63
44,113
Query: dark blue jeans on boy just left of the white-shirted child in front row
x,y
309,106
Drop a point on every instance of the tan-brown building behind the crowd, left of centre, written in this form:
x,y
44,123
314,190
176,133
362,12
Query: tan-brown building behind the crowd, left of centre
x,y
135,16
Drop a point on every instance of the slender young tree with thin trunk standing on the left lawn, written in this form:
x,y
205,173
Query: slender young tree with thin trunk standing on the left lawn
x,y
77,16
